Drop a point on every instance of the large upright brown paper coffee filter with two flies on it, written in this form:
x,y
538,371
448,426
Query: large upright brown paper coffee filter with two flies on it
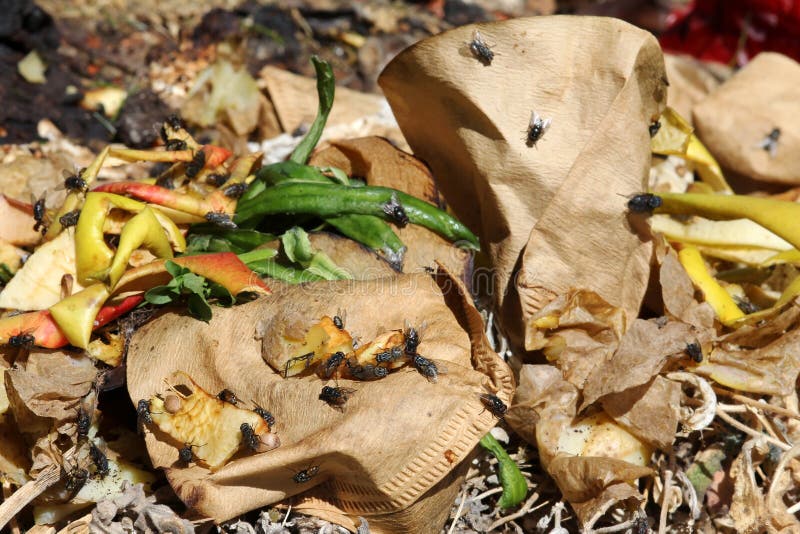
x,y
549,217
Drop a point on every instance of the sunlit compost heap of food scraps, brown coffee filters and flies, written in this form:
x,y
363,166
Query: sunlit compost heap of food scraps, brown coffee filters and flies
x,y
574,307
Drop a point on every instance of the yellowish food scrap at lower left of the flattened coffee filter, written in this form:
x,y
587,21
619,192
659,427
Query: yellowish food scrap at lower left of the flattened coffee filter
x,y
209,425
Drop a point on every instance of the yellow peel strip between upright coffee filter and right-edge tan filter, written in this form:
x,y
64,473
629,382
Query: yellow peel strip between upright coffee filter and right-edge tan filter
x,y
676,137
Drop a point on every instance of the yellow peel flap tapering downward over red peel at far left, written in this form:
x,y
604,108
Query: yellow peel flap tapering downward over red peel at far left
x,y
75,315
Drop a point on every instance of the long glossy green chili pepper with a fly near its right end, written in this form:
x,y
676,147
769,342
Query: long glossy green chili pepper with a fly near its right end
x,y
325,200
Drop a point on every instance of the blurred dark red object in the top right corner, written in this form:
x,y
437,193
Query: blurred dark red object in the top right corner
x,y
734,31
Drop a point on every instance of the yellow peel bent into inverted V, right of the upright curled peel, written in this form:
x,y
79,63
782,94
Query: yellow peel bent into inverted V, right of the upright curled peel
x,y
145,230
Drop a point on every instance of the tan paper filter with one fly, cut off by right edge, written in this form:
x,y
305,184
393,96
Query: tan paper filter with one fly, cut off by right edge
x,y
764,96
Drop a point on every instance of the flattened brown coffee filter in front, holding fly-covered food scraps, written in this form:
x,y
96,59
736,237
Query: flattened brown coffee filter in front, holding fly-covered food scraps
x,y
384,452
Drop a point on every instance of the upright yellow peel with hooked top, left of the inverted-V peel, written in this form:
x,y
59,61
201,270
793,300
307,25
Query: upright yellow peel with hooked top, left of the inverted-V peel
x,y
92,256
